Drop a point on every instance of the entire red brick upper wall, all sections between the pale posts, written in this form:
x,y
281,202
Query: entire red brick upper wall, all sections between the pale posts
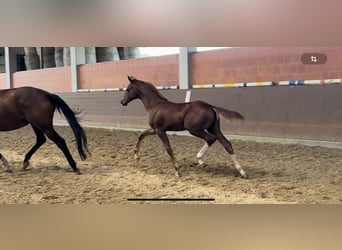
x,y
219,66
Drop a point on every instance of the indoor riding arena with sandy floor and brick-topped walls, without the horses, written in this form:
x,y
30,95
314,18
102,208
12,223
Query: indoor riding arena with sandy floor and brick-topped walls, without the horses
x,y
289,143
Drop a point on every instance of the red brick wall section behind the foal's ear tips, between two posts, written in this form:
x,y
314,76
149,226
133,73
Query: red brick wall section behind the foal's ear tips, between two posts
x,y
161,71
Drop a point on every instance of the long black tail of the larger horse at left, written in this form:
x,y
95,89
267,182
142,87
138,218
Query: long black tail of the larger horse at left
x,y
71,116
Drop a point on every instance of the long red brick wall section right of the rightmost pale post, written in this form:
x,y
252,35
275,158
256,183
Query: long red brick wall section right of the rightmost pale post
x,y
263,64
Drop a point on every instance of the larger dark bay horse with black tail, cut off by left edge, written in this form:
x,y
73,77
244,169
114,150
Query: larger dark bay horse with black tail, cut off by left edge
x,y
27,105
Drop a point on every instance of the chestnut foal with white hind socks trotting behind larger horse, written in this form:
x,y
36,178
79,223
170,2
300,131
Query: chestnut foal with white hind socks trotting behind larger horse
x,y
199,118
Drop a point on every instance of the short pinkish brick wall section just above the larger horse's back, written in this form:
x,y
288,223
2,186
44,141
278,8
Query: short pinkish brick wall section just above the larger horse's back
x,y
51,79
